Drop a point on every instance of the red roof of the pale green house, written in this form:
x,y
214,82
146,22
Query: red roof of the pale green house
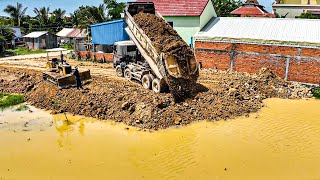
x,y
179,7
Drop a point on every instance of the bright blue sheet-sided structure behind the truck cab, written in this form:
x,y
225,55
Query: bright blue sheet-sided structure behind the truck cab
x,y
109,32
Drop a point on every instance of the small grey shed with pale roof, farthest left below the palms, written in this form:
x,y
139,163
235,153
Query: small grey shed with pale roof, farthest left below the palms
x,y
41,40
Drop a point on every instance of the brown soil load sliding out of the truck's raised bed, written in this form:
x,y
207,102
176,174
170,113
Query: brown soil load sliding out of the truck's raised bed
x,y
166,40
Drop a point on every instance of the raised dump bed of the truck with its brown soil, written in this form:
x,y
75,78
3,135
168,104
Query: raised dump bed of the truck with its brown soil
x,y
171,60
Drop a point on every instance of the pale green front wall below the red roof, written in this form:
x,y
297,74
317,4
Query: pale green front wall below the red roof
x,y
186,26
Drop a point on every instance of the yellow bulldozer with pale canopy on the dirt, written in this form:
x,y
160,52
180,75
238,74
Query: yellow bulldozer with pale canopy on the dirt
x,y
60,72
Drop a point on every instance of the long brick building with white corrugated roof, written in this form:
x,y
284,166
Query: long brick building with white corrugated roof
x,y
289,47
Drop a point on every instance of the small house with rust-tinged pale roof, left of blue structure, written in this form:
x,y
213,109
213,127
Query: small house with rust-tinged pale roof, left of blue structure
x,y
71,34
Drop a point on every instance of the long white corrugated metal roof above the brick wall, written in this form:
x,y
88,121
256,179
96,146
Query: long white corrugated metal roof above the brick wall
x,y
294,31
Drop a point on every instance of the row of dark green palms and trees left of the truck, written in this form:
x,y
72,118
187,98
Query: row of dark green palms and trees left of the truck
x,y
54,20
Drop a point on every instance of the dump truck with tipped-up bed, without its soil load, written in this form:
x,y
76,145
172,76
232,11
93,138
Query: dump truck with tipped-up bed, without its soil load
x,y
139,60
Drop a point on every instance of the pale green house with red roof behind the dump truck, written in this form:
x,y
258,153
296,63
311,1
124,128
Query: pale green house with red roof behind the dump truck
x,y
185,16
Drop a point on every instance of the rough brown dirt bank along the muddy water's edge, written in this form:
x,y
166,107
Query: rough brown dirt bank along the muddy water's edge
x,y
221,95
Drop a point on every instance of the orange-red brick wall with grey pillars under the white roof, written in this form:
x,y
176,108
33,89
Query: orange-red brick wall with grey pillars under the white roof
x,y
299,64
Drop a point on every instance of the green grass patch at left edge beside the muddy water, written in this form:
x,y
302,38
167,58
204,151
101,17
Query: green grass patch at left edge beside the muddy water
x,y
8,100
